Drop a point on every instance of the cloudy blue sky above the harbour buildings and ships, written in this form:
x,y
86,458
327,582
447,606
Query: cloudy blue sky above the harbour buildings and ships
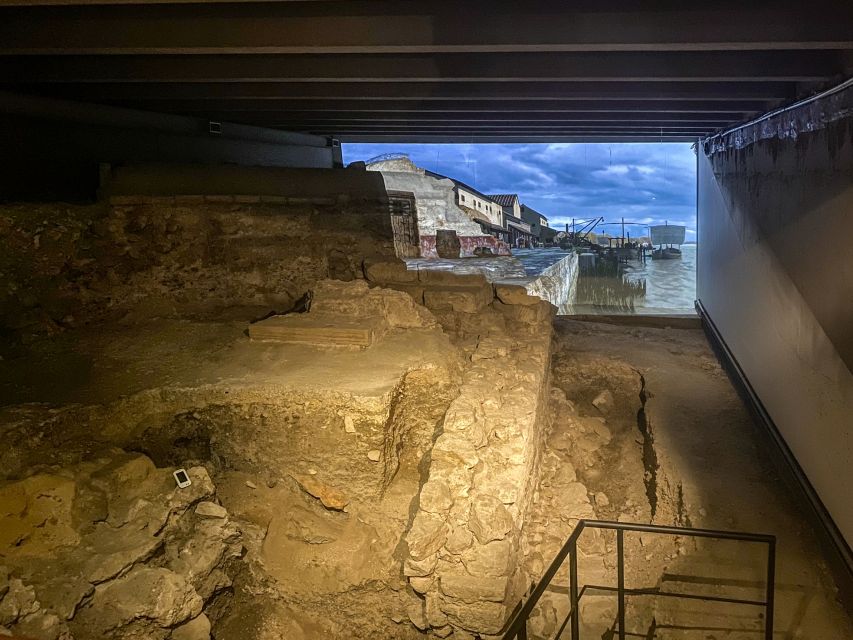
x,y
646,183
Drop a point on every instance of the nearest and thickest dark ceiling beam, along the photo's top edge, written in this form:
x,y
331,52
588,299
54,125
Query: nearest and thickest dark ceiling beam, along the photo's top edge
x,y
407,26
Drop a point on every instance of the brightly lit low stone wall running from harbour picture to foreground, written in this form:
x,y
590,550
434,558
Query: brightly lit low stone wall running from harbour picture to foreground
x,y
463,556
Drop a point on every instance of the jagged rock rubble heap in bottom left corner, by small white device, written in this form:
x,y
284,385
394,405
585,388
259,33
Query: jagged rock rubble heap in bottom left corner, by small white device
x,y
88,566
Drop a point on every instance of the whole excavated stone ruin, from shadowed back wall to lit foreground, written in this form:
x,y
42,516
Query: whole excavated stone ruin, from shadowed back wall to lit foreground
x,y
374,451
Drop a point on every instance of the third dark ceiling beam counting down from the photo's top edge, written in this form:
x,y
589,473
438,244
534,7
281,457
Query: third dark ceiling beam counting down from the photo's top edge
x,y
707,92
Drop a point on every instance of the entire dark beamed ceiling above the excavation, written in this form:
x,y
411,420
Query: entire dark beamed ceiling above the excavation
x,y
372,70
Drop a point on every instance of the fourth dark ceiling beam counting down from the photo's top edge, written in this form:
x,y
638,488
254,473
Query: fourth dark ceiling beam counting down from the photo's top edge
x,y
482,106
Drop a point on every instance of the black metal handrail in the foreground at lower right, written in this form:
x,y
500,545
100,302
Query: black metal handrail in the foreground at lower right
x,y
517,627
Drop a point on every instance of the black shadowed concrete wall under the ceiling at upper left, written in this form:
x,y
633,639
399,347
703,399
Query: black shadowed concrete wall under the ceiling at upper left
x,y
56,146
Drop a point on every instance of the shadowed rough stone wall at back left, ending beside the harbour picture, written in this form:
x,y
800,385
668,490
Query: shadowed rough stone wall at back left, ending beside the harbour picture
x,y
65,265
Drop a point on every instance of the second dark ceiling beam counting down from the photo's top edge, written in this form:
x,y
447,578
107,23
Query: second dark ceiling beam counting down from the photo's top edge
x,y
753,66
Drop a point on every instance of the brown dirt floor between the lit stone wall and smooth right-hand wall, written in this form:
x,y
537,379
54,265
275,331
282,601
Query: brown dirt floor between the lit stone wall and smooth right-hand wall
x,y
646,427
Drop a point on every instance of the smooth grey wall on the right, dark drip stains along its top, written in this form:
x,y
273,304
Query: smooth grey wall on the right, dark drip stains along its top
x,y
775,275
